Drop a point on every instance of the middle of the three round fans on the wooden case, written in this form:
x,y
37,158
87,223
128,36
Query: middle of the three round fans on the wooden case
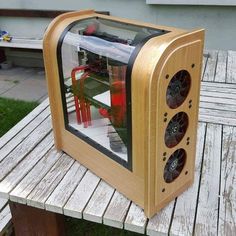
x,y
176,129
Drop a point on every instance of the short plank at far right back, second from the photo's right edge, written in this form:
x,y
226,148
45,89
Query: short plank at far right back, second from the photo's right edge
x,y
221,67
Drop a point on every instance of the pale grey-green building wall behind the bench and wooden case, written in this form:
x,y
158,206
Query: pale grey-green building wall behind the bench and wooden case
x,y
219,21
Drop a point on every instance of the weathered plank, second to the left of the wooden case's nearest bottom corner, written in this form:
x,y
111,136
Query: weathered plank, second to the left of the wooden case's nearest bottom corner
x,y
116,210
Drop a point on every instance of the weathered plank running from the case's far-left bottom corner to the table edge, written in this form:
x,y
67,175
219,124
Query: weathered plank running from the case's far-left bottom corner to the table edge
x,y
43,190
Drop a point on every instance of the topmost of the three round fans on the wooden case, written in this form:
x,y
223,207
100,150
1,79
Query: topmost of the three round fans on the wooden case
x,y
178,89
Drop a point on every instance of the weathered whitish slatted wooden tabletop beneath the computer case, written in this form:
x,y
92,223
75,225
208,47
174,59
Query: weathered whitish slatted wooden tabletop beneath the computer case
x,y
34,173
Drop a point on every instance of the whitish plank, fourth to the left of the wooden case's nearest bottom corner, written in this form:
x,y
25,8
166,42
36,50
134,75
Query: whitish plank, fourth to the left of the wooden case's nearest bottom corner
x,y
81,195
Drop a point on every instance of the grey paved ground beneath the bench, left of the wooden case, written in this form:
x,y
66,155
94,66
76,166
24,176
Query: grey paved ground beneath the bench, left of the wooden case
x,y
27,84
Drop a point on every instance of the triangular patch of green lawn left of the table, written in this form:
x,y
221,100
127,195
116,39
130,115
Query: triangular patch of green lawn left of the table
x,y
12,111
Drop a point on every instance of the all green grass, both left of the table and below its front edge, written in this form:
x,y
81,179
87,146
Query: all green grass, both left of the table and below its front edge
x,y
11,112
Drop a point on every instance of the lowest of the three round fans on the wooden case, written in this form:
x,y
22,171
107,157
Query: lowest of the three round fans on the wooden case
x,y
174,165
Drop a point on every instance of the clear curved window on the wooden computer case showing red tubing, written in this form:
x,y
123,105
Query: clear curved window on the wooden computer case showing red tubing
x,y
94,55
